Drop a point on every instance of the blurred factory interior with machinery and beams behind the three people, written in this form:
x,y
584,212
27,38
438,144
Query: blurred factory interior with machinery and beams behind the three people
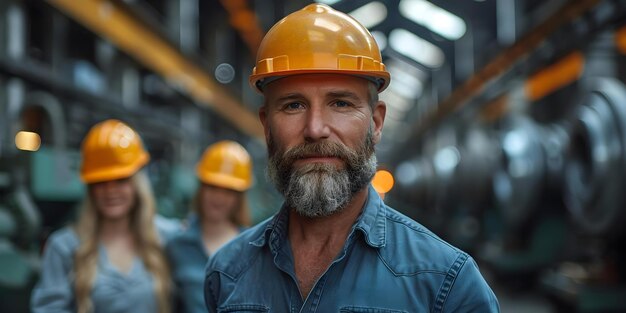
x,y
505,131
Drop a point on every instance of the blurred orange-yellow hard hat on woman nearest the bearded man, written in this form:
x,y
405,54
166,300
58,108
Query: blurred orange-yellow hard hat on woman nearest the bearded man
x,y
226,164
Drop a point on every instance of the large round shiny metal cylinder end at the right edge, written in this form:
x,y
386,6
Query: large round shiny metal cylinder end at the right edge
x,y
596,161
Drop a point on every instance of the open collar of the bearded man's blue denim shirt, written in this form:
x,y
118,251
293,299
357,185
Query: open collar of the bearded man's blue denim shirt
x,y
372,222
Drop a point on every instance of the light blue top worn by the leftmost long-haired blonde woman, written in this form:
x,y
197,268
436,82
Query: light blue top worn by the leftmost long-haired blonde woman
x,y
113,291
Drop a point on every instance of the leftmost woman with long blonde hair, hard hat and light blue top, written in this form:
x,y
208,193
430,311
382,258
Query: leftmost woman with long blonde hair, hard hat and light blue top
x,y
111,260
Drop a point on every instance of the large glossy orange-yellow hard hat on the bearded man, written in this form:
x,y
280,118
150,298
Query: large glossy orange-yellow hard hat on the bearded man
x,y
318,39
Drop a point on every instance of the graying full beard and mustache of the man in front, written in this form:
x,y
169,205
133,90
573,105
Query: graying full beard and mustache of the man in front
x,y
317,190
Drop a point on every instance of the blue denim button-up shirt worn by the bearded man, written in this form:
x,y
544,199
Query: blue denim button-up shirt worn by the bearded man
x,y
389,263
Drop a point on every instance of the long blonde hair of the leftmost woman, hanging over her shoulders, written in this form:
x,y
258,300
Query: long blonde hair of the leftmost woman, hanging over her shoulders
x,y
145,234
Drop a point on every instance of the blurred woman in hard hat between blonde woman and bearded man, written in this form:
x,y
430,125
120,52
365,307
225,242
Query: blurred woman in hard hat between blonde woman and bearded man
x,y
220,212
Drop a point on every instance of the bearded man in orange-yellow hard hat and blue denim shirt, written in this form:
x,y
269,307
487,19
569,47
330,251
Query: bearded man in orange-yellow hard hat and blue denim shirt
x,y
334,246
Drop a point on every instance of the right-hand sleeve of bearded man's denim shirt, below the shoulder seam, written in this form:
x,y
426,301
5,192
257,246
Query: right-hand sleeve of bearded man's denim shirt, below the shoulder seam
x,y
470,292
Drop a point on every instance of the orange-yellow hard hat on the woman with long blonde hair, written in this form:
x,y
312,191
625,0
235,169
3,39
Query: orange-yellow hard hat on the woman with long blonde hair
x,y
111,150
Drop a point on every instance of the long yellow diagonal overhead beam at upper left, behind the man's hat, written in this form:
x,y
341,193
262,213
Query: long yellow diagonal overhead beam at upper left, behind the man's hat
x,y
130,35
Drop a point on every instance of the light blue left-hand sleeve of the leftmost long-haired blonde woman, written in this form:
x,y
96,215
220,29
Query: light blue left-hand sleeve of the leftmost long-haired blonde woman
x,y
54,292
